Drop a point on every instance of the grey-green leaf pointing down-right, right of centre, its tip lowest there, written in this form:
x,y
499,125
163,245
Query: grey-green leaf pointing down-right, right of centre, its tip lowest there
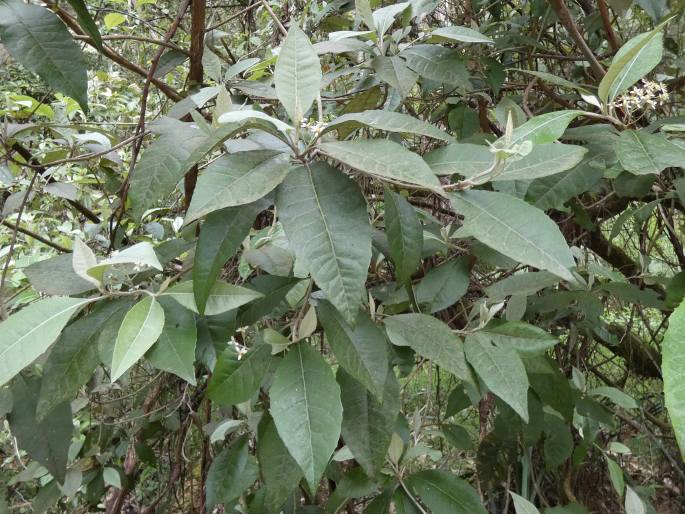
x,y
501,369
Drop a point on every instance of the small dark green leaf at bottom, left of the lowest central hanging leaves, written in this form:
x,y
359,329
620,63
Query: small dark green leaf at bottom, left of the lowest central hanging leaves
x,y
231,473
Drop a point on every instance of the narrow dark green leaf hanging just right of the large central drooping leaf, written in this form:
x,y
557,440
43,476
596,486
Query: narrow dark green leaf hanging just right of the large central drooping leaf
x,y
405,235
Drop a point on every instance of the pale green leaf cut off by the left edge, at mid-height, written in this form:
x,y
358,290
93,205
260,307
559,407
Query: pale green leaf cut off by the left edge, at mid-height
x,y
24,336
